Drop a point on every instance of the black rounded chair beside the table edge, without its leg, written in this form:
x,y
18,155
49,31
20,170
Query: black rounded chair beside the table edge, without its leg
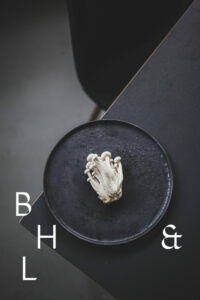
x,y
112,39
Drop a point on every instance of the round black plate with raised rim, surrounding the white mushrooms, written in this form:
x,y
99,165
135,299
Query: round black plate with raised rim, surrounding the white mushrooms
x,y
147,185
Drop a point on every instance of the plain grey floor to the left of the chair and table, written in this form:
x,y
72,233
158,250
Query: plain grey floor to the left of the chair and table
x,y
40,100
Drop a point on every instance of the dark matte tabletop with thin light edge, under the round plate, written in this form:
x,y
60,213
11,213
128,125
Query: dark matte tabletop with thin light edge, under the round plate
x,y
164,99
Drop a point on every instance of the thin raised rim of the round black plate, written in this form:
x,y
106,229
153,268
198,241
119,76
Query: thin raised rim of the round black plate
x,y
119,241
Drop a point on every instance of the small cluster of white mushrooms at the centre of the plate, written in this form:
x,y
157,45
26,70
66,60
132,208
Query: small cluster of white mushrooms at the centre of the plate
x,y
105,176
